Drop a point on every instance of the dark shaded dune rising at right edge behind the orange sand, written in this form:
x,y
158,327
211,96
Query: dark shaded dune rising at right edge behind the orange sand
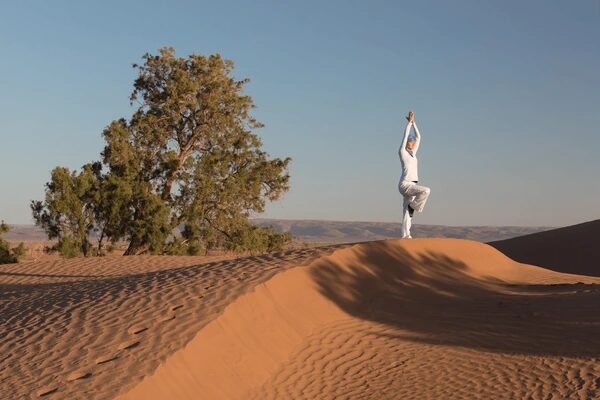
x,y
573,249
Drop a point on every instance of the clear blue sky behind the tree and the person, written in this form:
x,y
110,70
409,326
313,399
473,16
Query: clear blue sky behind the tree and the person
x,y
506,94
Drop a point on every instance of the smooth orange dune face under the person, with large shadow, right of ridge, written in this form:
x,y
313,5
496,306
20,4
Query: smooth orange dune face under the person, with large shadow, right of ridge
x,y
430,318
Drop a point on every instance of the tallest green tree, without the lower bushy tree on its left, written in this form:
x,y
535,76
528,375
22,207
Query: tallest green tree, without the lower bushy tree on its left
x,y
189,157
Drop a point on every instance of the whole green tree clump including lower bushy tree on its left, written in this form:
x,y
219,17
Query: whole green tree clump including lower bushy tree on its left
x,y
187,161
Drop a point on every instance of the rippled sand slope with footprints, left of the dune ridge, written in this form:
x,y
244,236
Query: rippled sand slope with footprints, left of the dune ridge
x,y
91,328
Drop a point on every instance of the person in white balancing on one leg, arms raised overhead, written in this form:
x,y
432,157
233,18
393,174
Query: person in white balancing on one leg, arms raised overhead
x,y
414,196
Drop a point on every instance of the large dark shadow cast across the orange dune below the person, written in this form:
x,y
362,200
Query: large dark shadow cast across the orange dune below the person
x,y
432,299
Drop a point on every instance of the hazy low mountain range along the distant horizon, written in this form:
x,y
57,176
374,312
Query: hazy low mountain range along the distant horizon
x,y
317,231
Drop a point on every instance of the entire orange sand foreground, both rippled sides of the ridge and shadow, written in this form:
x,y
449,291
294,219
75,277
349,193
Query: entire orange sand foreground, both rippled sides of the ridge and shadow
x,y
427,318
